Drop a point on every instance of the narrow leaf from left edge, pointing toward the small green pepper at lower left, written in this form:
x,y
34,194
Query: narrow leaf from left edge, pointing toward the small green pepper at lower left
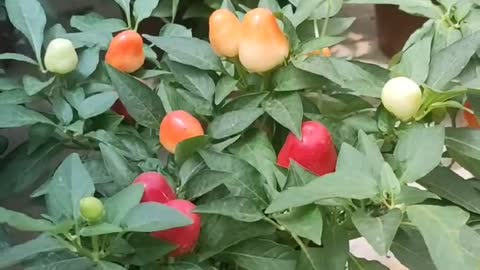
x,y
23,222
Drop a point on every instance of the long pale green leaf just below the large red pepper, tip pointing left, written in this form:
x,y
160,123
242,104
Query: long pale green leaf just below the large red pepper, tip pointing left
x,y
337,185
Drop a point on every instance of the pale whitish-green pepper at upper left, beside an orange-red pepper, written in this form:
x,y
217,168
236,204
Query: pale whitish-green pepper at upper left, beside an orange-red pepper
x,y
61,56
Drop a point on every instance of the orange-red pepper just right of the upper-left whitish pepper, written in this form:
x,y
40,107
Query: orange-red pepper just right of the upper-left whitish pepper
x,y
125,52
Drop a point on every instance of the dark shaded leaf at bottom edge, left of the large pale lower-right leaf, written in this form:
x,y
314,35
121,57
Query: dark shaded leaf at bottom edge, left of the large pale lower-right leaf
x,y
409,247
